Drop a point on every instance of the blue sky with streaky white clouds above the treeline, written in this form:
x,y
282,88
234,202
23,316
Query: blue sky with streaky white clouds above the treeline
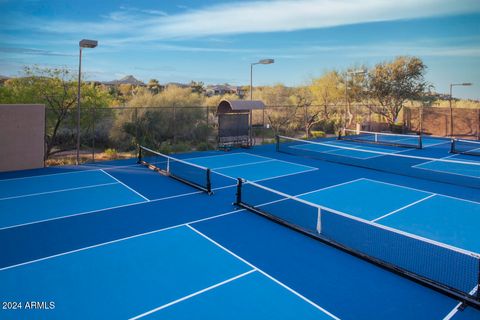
x,y
215,41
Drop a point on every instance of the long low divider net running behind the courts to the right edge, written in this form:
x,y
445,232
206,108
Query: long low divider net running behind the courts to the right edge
x,y
425,165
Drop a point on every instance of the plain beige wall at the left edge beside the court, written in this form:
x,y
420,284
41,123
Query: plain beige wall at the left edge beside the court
x,y
22,136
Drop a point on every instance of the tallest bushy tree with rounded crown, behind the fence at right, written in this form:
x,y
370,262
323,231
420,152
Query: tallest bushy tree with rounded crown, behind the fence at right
x,y
392,84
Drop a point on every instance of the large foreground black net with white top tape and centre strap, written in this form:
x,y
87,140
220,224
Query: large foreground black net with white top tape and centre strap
x,y
448,269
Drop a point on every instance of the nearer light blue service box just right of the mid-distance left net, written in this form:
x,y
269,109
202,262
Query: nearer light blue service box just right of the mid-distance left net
x,y
264,170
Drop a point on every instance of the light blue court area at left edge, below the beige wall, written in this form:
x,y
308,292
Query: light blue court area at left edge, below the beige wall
x,y
50,197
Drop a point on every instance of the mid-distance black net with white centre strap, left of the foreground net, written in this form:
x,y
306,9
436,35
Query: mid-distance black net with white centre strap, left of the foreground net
x,y
186,172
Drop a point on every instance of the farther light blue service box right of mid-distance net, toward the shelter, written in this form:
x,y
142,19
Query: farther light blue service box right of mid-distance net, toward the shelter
x,y
227,160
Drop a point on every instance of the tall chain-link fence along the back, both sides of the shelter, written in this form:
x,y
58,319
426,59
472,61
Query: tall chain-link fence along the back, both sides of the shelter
x,y
115,132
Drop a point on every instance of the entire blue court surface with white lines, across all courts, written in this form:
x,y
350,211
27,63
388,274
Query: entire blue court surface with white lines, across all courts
x,y
130,242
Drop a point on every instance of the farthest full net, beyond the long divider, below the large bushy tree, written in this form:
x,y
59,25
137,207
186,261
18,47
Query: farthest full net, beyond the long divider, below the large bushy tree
x,y
389,139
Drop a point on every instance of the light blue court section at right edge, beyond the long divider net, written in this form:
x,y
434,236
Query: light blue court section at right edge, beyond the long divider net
x,y
468,166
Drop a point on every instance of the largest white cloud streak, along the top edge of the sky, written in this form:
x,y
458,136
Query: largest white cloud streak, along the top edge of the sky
x,y
258,16
